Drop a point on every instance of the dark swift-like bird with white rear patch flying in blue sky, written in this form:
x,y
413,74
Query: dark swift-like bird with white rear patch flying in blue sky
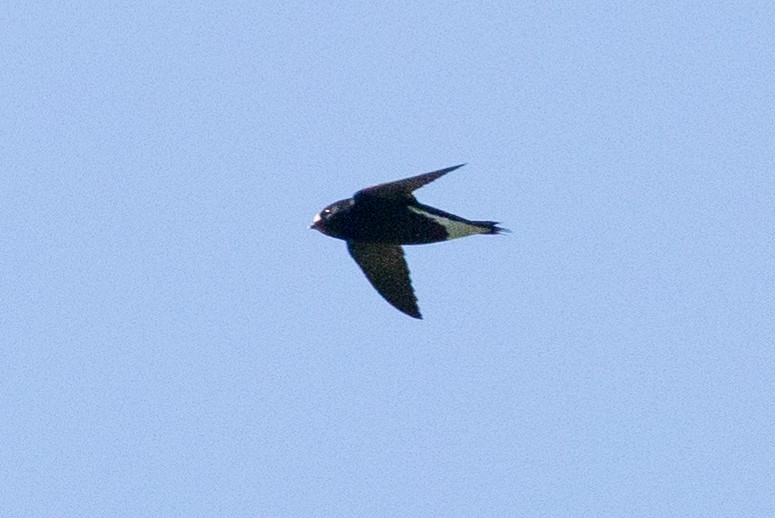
x,y
378,220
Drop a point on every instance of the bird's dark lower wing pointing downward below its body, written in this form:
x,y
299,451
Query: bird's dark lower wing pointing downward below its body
x,y
386,269
